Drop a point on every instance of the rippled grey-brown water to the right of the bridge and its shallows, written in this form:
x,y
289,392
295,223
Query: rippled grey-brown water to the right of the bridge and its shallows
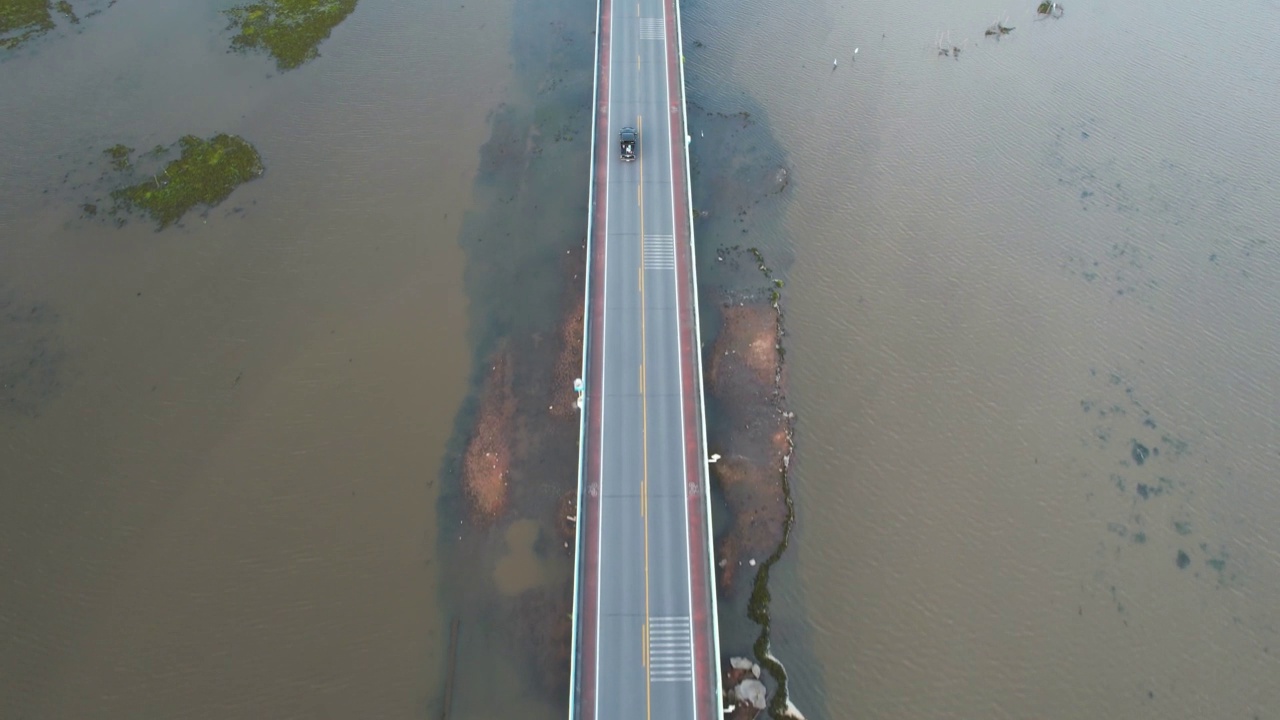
x,y
1017,274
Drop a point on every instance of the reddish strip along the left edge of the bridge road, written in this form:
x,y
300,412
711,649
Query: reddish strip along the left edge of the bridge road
x,y
591,509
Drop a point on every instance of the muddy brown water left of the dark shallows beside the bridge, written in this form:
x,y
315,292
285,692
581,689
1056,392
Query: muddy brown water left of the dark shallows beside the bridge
x,y
221,445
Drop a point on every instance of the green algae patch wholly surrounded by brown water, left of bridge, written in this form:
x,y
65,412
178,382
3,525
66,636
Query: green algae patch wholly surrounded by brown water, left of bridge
x,y
205,174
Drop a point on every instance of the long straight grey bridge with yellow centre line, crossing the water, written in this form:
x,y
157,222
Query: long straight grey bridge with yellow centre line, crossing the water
x,y
646,636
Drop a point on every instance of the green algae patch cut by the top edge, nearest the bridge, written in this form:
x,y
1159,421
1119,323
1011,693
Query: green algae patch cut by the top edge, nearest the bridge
x,y
291,31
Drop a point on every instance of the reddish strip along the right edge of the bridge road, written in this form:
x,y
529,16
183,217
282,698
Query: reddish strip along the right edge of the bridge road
x,y
707,668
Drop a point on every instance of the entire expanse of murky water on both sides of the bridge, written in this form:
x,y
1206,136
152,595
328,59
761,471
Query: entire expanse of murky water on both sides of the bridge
x,y
1032,343
